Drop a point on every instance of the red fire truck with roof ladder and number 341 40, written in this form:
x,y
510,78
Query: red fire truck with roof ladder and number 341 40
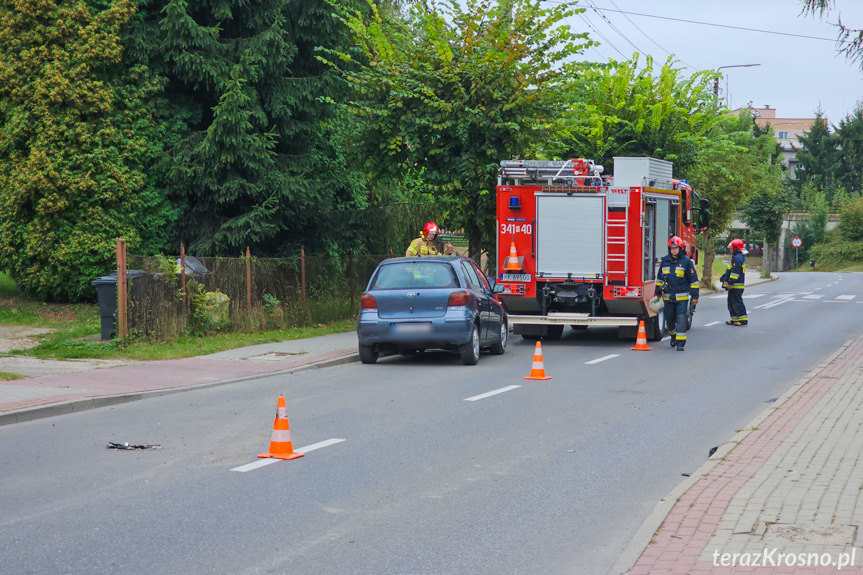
x,y
578,248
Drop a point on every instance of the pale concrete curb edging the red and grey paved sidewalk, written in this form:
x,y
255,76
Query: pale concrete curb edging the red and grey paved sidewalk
x,y
654,521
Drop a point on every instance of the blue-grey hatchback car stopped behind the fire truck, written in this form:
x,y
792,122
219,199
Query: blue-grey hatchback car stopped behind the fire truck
x,y
433,302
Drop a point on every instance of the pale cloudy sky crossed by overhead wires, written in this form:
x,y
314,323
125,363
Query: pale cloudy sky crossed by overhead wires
x,y
795,75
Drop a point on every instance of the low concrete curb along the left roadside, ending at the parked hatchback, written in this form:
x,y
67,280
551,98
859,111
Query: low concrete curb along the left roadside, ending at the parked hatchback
x,y
88,403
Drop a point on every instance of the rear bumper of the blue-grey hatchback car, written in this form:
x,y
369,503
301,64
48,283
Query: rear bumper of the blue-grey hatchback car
x,y
448,331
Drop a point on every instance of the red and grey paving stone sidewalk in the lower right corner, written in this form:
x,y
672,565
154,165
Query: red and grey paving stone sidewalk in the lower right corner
x,y
785,495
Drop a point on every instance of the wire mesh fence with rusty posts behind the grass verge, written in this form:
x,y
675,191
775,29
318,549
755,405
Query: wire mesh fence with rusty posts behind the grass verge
x,y
243,294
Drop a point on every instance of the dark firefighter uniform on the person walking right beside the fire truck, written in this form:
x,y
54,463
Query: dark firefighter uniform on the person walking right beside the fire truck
x,y
678,283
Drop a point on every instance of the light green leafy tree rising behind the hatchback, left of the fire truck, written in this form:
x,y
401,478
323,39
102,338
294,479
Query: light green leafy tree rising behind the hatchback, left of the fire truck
x,y
457,88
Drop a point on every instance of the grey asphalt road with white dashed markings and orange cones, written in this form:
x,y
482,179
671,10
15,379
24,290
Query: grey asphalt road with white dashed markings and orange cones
x,y
547,478
